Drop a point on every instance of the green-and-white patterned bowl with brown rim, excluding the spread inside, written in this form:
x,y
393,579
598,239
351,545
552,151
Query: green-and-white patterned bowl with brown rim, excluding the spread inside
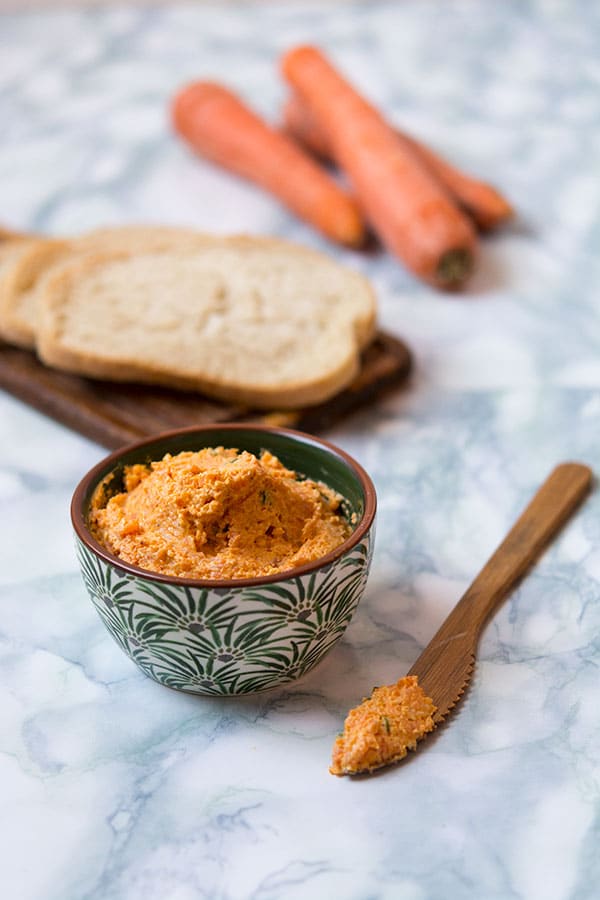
x,y
243,635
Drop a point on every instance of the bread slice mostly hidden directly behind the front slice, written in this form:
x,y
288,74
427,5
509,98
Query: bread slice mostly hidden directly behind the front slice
x,y
22,283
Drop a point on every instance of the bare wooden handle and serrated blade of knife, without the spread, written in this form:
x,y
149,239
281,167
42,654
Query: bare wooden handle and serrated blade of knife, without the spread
x,y
444,668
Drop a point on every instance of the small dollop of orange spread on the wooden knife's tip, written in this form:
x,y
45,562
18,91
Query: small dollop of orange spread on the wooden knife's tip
x,y
383,728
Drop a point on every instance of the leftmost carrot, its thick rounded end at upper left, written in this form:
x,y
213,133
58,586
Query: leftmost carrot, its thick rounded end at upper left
x,y
218,126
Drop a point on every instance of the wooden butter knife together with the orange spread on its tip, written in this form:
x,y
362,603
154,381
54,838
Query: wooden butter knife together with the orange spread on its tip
x,y
395,717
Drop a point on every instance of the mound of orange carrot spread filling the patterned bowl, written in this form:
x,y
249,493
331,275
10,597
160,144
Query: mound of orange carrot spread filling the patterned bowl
x,y
218,513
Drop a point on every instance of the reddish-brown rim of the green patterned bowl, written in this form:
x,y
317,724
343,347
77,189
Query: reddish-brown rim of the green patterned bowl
x,y
92,477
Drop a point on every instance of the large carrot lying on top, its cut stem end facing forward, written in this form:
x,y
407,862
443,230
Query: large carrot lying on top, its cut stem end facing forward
x,y
407,206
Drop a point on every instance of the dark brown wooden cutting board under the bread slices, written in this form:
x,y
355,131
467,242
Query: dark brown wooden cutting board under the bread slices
x,y
116,414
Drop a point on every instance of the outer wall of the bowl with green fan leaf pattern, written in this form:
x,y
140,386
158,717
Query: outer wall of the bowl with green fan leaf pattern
x,y
227,642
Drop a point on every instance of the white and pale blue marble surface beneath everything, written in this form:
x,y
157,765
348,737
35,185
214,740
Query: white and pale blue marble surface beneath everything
x,y
114,787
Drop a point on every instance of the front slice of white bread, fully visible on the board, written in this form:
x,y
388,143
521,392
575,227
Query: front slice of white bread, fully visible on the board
x,y
255,321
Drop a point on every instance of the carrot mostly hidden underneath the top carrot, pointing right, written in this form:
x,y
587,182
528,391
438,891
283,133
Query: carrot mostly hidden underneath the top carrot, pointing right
x,y
486,206
